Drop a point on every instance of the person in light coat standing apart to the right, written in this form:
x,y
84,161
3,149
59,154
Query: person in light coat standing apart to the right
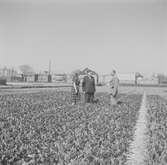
x,y
113,85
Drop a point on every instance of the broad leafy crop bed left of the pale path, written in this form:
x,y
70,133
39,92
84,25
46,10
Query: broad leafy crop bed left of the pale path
x,y
43,128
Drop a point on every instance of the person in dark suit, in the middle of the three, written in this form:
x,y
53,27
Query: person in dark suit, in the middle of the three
x,y
88,87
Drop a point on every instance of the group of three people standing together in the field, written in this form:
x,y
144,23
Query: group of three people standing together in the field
x,y
89,88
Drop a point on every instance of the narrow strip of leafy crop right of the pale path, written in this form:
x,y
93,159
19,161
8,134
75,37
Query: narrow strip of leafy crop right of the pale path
x,y
157,131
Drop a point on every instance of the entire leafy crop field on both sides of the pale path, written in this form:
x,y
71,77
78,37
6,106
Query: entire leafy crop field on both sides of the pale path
x,y
42,127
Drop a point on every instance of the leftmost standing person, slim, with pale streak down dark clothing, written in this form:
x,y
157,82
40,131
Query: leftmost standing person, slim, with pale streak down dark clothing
x,y
75,93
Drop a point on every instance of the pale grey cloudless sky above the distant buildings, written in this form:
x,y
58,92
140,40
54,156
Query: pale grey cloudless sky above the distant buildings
x,y
126,35
